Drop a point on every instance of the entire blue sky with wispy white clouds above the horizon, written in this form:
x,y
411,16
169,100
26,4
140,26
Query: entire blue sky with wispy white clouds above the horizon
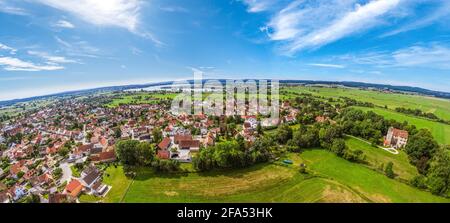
x,y
49,46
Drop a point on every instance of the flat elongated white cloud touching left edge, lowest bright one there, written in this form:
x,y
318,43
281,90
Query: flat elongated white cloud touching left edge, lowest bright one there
x,y
15,64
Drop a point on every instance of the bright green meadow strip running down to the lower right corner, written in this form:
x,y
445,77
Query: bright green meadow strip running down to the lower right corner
x,y
368,183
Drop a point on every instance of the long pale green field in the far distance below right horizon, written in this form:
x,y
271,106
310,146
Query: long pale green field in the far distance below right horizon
x,y
440,107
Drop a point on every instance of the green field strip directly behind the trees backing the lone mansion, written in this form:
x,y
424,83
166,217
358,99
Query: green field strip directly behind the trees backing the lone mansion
x,y
440,131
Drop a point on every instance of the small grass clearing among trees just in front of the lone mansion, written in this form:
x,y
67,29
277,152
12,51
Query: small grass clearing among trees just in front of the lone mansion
x,y
377,157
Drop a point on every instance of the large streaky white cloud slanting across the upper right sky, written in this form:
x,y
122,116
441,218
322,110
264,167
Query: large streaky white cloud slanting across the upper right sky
x,y
312,24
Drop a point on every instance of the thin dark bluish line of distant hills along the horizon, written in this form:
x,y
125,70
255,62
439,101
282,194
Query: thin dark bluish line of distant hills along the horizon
x,y
406,89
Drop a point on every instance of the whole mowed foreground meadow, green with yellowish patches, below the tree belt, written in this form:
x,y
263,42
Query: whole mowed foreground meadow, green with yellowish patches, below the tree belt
x,y
331,179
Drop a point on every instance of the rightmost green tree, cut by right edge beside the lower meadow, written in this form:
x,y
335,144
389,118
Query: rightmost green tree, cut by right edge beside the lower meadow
x,y
439,173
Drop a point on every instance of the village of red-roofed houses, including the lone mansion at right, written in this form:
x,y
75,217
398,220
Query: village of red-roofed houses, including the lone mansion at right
x,y
59,152
